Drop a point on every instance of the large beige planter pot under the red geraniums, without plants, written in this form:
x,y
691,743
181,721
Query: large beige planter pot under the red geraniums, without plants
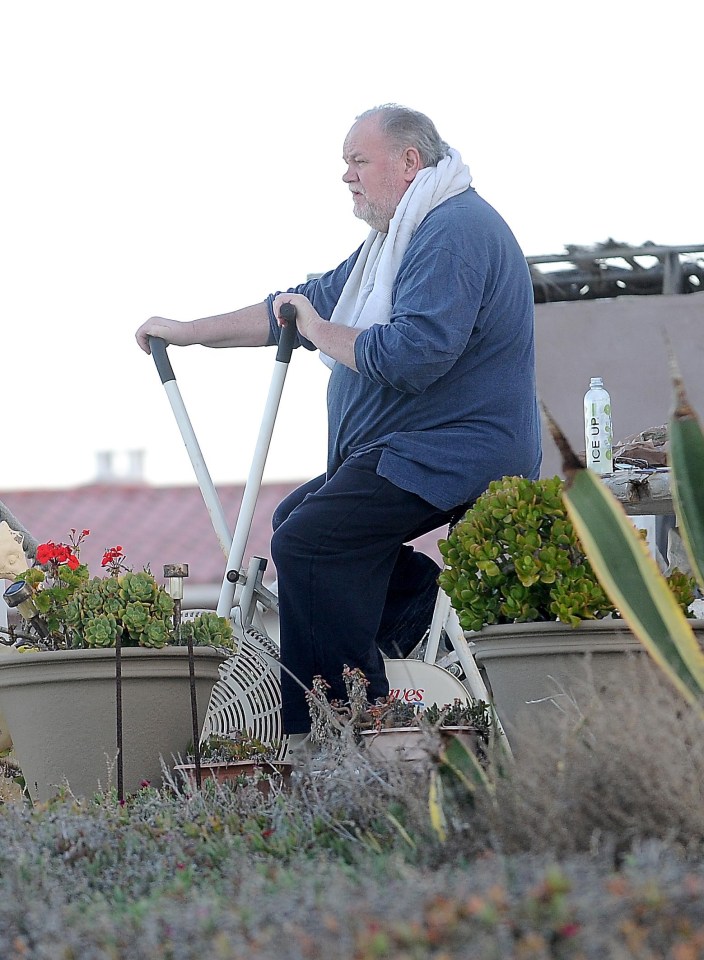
x,y
60,710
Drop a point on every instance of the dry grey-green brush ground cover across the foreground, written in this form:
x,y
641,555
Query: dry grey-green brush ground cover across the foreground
x,y
588,845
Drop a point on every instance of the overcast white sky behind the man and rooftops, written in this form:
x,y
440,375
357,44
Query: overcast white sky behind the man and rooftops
x,y
183,159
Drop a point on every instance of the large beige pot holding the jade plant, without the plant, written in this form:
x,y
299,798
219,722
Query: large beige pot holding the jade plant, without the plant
x,y
533,667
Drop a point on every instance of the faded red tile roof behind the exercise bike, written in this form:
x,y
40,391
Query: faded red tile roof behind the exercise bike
x,y
154,525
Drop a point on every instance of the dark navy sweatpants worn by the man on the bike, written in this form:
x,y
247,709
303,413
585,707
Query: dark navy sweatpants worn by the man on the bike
x,y
349,585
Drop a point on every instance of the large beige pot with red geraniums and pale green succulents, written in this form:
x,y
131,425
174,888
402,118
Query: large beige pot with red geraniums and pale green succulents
x,y
58,679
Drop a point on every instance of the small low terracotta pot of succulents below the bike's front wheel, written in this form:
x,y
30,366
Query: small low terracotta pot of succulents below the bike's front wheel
x,y
237,758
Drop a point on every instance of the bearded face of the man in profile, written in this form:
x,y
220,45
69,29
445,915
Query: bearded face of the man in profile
x,y
377,173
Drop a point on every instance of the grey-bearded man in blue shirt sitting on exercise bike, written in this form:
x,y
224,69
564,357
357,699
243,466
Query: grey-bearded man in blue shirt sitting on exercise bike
x,y
428,332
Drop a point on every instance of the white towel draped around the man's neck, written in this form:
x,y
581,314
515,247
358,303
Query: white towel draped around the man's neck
x,y
366,296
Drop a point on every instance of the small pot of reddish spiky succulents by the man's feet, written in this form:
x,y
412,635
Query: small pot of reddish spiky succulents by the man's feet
x,y
392,728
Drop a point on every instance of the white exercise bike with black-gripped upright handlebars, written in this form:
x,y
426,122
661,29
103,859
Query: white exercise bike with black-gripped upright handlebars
x,y
247,697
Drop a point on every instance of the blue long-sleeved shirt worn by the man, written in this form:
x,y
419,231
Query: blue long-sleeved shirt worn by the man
x,y
447,388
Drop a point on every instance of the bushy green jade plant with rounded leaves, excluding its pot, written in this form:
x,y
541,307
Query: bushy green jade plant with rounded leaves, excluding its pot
x,y
515,558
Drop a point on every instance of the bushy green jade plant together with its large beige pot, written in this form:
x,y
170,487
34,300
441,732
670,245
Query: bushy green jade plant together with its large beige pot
x,y
528,599
